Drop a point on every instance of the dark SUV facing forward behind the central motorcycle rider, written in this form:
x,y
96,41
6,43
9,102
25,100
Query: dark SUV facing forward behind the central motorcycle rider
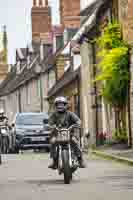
x,y
31,131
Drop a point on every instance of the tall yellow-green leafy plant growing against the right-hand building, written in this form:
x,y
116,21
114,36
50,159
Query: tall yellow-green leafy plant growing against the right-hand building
x,y
113,69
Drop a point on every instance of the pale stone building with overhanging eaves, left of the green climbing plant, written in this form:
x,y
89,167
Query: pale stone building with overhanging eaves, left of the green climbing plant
x,y
97,117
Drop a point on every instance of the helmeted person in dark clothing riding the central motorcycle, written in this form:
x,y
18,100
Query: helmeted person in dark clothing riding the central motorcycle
x,y
65,118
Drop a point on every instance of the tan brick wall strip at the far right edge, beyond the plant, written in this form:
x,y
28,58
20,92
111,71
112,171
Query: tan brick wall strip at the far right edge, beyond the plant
x,y
126,19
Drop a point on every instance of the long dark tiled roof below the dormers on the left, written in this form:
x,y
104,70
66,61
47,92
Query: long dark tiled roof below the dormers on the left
x,y
14,80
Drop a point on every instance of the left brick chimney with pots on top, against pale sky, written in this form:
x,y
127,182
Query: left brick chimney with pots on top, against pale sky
x,y
41,20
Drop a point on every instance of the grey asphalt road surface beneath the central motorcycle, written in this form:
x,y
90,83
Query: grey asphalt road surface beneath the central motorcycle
x,y
26,177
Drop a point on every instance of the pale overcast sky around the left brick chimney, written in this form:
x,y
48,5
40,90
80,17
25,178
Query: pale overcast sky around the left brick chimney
x,y
16,15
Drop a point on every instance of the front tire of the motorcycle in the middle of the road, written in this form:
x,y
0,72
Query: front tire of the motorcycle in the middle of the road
x,y
66,167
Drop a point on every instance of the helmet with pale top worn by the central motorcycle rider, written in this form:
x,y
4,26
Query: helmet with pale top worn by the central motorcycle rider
x,y
61,104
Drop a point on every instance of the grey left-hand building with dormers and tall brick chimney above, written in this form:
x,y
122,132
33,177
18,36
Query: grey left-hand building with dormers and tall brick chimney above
x,y
26,84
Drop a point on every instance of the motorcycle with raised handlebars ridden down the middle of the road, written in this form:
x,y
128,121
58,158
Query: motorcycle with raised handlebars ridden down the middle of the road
x,y
67,162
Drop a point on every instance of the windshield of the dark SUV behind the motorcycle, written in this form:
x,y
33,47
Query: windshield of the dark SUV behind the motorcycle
x,y
30,119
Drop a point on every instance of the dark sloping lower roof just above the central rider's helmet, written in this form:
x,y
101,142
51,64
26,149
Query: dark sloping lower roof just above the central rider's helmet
x,y
66,79
